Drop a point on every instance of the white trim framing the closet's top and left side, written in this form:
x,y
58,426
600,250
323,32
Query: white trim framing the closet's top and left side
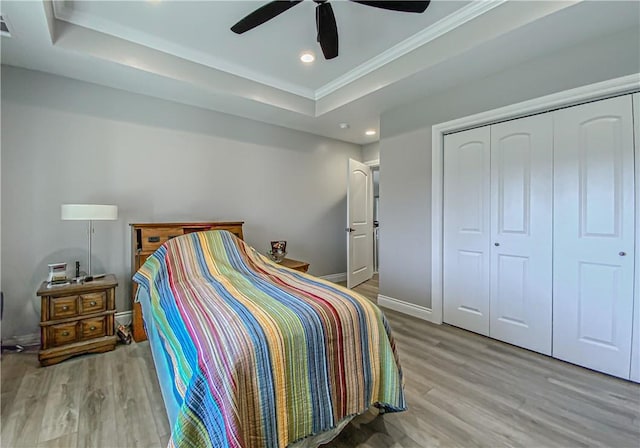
x,y
593,92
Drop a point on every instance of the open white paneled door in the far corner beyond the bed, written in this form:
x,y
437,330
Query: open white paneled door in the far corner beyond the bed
x,y
359,224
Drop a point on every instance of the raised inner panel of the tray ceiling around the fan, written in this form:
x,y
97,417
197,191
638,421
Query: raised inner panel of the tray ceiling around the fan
x,y
199,31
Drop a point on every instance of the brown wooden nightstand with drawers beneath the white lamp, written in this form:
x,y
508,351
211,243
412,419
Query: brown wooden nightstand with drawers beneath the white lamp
x,y
77,318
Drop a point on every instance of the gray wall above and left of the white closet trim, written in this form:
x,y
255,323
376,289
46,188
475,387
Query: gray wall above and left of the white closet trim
x,y
405,147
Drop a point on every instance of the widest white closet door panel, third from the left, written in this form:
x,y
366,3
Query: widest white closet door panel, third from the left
x,y
594,235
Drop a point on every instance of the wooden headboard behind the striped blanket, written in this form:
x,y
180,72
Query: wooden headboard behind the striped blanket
x,y
147,237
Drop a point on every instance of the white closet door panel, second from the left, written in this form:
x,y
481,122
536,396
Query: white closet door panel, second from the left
x,y
521,232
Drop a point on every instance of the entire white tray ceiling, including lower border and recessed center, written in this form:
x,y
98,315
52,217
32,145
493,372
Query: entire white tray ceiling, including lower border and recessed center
x,y
184,51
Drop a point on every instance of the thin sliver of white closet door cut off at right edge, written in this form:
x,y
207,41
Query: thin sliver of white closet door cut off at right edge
x,y
635,344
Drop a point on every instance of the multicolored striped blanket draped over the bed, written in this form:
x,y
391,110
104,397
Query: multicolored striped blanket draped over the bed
x,y
263,355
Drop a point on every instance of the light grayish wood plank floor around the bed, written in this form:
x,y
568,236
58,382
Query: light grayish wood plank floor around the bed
x,y
462,390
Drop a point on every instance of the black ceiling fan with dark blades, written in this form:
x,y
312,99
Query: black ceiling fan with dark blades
x,y
325,20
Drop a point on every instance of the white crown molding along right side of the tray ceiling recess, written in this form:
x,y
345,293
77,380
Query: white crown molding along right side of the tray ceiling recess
x,y
449,23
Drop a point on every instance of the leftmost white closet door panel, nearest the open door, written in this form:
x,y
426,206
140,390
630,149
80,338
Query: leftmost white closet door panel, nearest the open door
x,y
467,229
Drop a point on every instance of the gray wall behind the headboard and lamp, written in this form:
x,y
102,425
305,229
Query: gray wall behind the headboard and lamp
x,y
65,141
